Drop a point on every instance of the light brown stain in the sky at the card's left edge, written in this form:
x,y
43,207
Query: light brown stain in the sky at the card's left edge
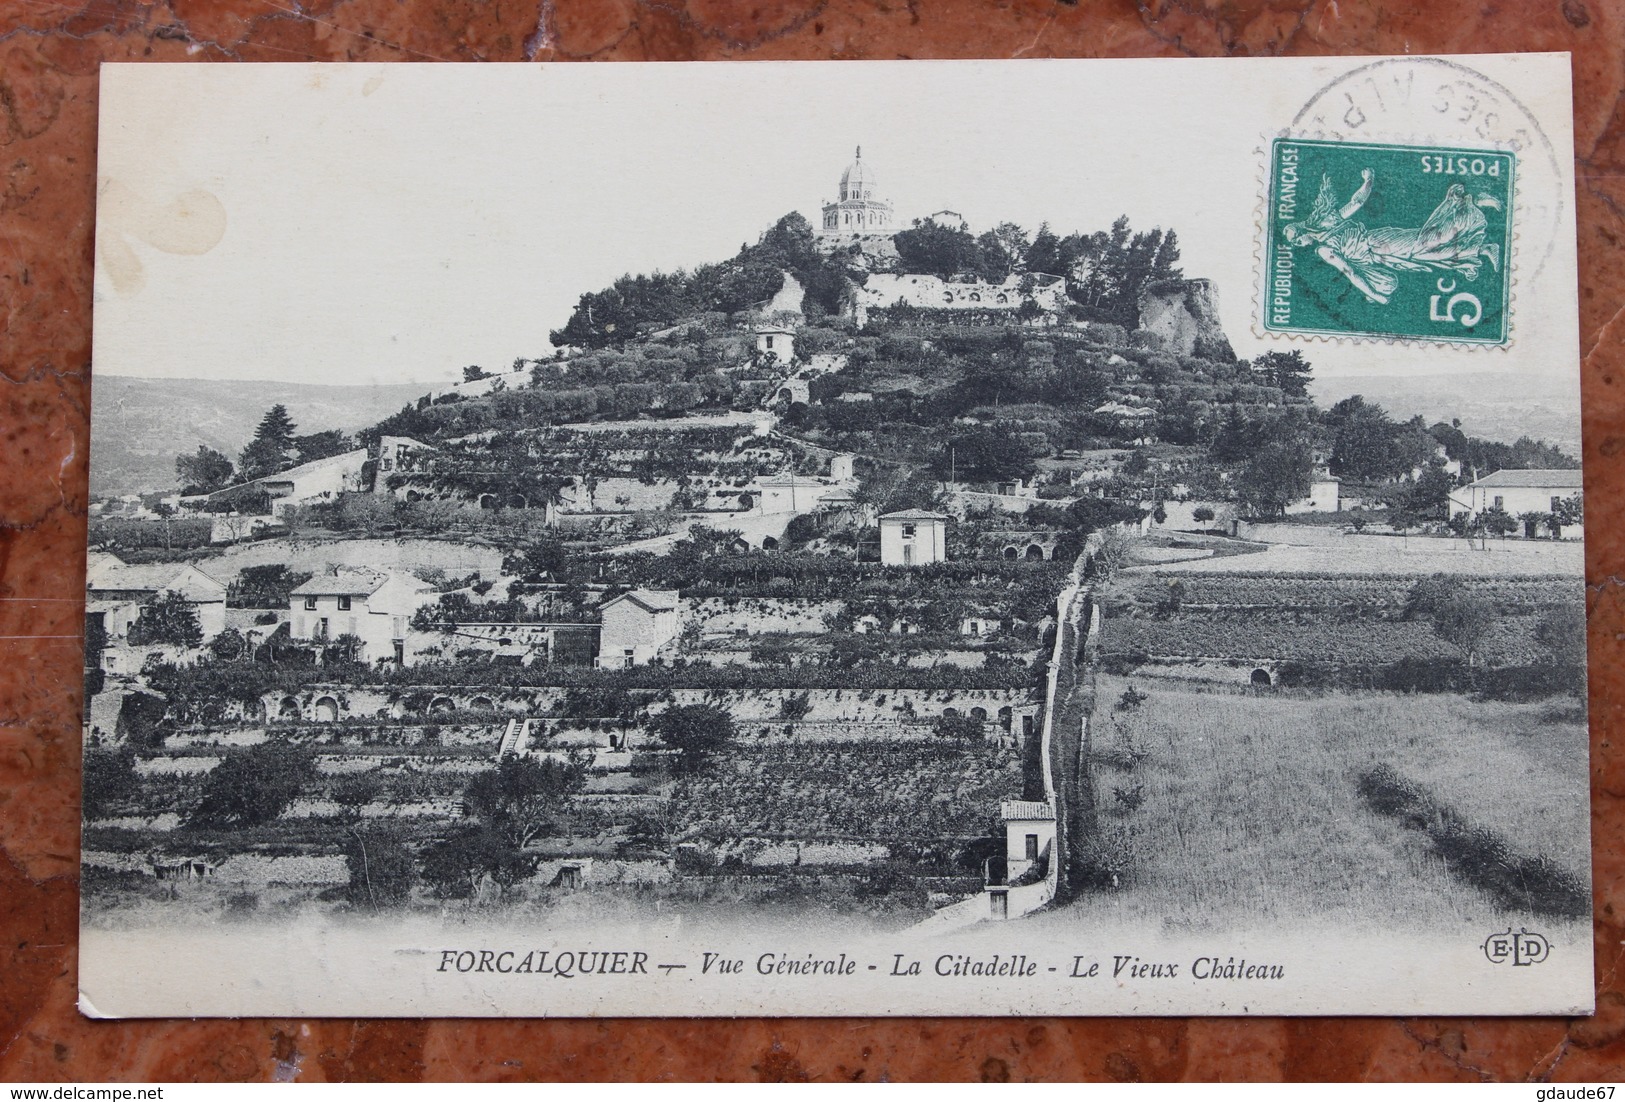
x,y
186,225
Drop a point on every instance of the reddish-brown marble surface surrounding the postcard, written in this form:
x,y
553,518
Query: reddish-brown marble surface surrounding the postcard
x,y
50,54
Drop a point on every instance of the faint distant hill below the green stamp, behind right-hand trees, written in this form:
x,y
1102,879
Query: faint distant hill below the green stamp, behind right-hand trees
x,y
1491,406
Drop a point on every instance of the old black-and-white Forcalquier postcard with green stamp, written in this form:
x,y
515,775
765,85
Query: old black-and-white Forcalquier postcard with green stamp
x,y
838,539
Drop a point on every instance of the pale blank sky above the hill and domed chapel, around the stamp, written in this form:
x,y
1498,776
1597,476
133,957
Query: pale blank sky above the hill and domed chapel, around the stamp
x,y
392,223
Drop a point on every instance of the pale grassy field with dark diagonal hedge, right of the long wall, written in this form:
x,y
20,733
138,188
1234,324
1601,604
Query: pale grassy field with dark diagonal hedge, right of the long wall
x,y
1236,810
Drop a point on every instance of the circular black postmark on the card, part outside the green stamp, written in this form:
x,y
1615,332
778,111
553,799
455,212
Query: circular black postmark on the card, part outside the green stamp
x,y
1439,102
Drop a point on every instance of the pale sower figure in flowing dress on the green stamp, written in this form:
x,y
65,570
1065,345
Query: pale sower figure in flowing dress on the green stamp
x,y
1452,238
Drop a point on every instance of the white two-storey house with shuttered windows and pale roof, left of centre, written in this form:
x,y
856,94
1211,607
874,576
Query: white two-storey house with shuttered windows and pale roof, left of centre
x,y
373,605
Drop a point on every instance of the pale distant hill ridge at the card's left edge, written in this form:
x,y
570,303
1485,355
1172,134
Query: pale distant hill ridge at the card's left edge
x,y
141,425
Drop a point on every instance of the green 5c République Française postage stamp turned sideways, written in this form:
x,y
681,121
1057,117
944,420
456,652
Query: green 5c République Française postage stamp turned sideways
x,y
1389,241
